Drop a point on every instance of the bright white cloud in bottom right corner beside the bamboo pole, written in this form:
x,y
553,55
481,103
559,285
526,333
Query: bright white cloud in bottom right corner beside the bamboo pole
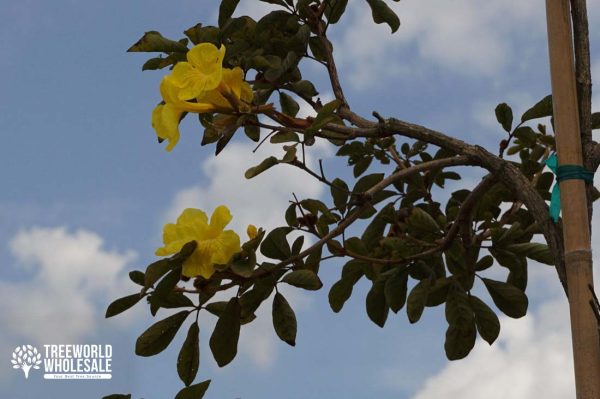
x,y
532,358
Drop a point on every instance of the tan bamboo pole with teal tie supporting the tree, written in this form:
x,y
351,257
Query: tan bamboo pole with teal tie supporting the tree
x,y
578,259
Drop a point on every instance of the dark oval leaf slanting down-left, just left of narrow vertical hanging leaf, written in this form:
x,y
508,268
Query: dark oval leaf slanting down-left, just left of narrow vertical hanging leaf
x,y
156,338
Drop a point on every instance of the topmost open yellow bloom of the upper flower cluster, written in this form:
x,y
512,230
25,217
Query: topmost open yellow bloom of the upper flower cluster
x,y
201,73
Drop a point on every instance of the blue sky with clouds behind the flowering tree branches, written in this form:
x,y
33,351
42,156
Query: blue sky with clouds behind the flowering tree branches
x,y
86,190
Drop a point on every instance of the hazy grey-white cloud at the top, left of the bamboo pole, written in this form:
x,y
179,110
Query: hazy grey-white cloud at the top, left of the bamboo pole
x,y
462,36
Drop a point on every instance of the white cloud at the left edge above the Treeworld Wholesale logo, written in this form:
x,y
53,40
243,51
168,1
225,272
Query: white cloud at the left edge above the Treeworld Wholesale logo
x,y
71,279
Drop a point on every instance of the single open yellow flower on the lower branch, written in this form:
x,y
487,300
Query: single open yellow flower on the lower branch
x,y
215,245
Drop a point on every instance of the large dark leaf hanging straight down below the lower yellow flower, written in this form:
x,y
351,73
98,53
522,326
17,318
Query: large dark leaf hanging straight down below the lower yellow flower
x,y
224,339
